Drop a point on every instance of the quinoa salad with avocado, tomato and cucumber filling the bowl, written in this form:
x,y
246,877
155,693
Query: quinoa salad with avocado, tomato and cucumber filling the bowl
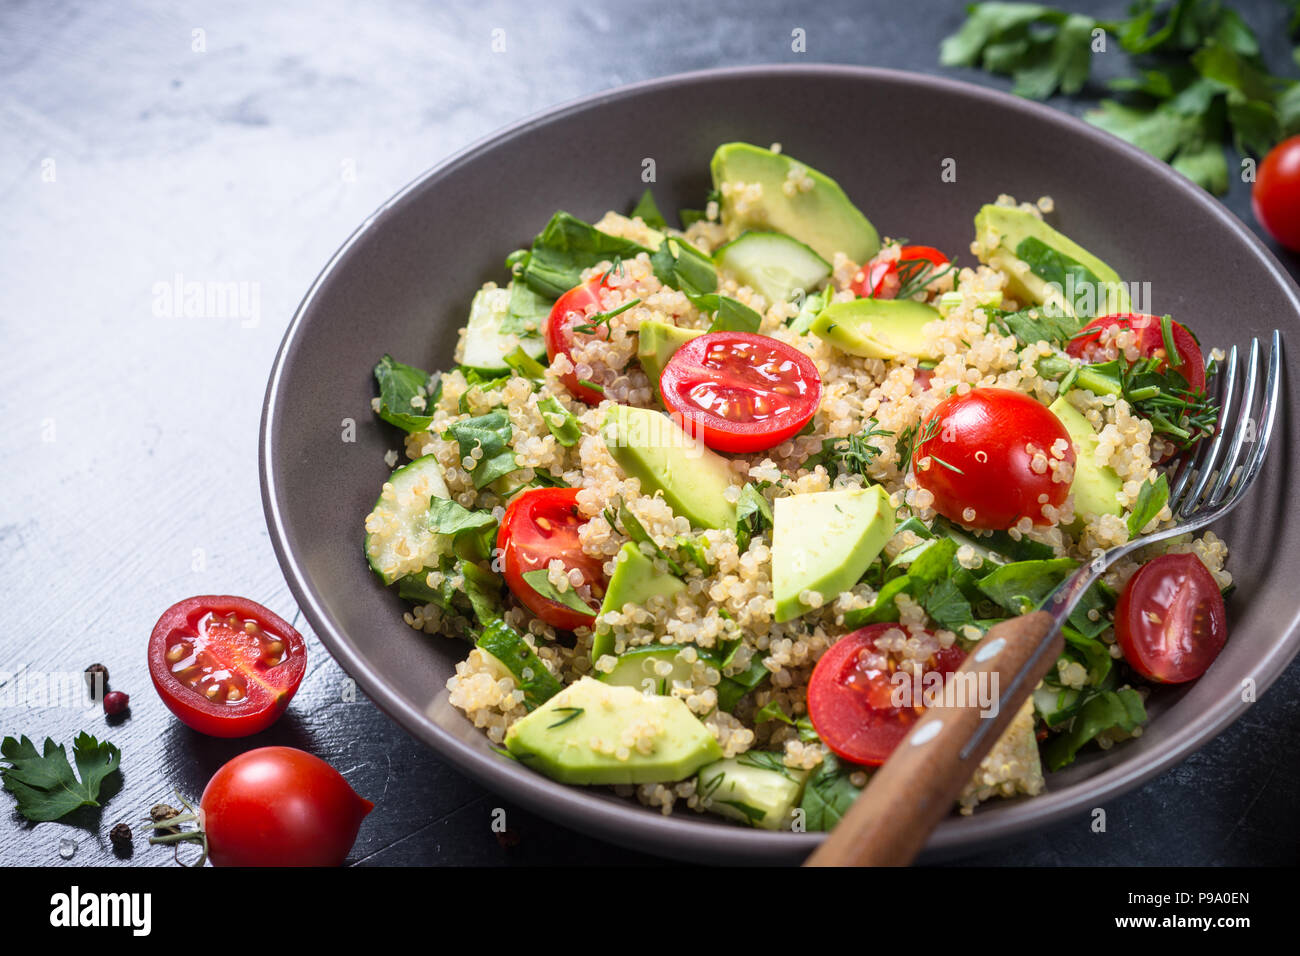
x,y
695,498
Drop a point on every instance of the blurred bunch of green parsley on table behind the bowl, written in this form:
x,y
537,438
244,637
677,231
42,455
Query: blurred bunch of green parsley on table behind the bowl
x,y
1201,83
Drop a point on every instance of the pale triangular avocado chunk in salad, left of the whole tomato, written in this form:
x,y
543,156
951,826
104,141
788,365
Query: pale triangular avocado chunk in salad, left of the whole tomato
x,y
825,542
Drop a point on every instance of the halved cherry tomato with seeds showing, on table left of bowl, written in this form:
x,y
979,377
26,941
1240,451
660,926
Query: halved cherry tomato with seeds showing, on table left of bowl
x,y
224,665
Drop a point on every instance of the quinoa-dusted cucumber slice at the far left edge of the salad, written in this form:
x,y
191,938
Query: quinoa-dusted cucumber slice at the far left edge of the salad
x,y
398,540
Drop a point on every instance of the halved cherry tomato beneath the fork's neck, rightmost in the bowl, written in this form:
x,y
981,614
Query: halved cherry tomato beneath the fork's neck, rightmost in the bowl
x,y
1171,621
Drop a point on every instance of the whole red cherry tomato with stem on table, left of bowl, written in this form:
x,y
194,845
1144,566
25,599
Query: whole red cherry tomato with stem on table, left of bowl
x,y
280,807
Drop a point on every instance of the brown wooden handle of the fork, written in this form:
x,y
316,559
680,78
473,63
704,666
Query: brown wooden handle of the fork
x,y
917,788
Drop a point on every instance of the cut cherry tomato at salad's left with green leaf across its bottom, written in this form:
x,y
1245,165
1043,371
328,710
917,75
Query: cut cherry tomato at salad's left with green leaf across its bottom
x,y
541,526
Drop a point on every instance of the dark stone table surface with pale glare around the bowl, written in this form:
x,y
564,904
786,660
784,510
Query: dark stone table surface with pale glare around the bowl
x,y
146,141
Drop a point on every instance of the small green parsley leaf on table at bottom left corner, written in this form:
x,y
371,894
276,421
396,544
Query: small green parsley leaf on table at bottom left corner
x,y
45,784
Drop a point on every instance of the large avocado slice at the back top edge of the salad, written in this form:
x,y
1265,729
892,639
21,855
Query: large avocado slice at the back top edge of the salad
x,y
821,217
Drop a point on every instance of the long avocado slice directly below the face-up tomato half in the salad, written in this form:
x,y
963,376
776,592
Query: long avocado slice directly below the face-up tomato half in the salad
x,y
653,448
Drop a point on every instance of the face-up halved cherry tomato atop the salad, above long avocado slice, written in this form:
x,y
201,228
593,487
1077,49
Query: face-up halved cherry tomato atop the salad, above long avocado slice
x,y
742,392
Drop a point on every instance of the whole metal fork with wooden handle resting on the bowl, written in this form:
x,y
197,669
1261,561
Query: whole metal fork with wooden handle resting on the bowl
x,y
917,788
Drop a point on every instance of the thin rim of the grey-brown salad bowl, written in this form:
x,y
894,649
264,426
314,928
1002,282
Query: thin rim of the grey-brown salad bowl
x,y
675,836
